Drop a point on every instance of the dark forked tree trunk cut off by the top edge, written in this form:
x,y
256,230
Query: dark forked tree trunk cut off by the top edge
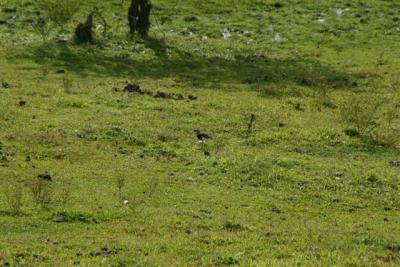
x,y
139,16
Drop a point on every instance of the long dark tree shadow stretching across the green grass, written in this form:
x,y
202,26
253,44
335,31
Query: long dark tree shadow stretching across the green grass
x,y
188,68
